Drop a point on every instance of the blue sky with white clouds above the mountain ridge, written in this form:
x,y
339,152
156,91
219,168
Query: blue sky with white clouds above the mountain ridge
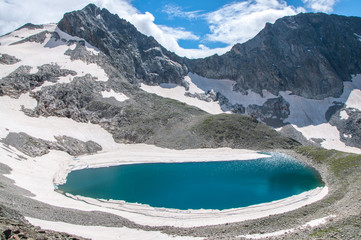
x,y
192,28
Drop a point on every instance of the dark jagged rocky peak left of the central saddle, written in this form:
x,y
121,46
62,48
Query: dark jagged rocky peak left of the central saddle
x,y
132,53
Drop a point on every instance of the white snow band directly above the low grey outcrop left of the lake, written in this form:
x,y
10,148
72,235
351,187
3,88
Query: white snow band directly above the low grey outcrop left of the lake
x,y
14,120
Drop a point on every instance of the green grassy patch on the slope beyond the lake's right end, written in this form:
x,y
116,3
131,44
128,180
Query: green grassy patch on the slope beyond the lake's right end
x,y
339,163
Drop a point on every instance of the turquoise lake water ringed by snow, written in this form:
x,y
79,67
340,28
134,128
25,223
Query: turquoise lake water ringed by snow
x,y
208,185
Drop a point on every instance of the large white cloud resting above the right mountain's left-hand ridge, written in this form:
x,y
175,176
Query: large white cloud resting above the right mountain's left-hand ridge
x,y
240,21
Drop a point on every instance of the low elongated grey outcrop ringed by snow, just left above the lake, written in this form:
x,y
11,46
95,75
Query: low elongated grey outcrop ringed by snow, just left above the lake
x,y
35,147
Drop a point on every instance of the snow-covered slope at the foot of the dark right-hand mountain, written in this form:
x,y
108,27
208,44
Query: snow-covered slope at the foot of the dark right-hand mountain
x,y
307,116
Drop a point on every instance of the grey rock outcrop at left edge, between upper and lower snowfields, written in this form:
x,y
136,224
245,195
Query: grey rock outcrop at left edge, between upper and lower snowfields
x,y
21,80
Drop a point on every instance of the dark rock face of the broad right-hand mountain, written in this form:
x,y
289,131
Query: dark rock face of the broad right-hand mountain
x,y
308,54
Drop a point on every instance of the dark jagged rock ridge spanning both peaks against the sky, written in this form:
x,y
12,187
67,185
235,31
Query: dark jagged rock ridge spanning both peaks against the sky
x,y
308,54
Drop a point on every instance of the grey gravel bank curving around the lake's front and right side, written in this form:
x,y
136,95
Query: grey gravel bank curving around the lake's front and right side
x,y
343,201
